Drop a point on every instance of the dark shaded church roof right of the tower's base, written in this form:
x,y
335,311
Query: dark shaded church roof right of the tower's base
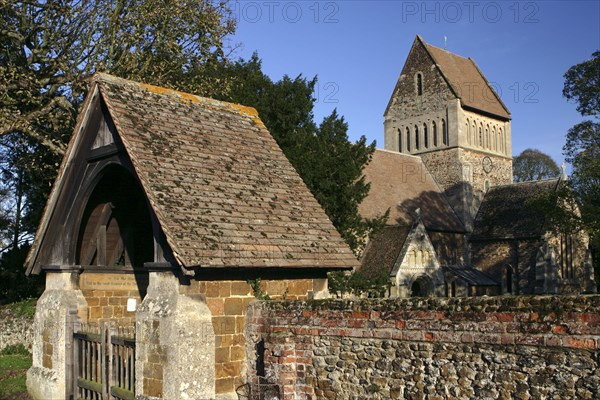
x,y
506,211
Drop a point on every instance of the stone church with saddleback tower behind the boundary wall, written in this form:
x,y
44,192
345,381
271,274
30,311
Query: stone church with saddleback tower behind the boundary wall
x,y
457,225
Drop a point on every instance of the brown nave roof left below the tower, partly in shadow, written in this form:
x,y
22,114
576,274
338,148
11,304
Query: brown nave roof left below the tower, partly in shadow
x,y
403,183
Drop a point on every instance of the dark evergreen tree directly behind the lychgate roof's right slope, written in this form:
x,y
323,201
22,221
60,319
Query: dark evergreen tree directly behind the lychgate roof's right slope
x,y
328,162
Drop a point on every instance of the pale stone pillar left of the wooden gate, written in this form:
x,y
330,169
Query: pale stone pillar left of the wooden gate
x,y
60,307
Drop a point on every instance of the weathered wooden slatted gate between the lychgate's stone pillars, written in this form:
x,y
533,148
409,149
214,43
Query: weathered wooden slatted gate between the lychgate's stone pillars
x,y
104,363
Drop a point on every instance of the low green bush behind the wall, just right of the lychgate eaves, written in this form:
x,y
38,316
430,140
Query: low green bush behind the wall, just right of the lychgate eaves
x,y
358,284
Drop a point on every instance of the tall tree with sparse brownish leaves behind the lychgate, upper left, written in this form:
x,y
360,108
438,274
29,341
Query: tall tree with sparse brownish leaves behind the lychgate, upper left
x,y
49,50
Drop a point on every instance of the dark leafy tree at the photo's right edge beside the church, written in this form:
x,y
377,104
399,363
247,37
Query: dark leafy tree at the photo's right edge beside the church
x,y
582,148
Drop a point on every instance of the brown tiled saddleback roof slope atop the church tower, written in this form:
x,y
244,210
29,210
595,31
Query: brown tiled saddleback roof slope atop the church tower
x,y
468,82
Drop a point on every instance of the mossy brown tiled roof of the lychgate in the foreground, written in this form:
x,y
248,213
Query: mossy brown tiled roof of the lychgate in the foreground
x,y
222,190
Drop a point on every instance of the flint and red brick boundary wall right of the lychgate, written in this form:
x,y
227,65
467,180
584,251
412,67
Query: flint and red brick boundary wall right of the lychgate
x,y
500,347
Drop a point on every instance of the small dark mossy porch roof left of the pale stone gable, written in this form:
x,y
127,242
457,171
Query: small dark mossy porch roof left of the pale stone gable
x,y
383,251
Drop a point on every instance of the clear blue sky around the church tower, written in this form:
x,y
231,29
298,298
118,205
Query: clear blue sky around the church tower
x,y
358,48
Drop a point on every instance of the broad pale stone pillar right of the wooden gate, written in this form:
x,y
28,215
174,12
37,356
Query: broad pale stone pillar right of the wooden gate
x,y
175,343
